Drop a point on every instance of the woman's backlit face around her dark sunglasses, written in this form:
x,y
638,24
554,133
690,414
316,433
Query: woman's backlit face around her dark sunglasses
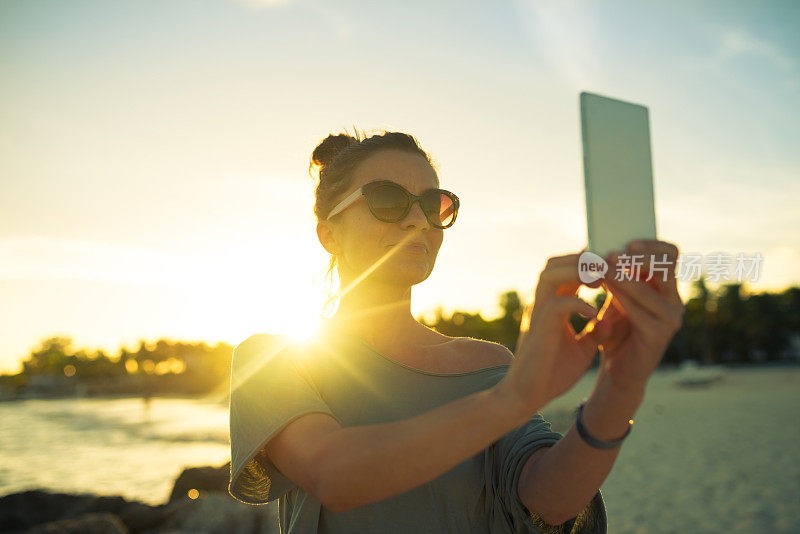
x,y
362,241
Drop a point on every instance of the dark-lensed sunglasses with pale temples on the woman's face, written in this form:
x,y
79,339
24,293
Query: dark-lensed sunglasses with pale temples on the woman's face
x,y
391,202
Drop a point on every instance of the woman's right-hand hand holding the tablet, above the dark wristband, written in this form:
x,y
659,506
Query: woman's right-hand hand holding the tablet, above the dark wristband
x,y
640,317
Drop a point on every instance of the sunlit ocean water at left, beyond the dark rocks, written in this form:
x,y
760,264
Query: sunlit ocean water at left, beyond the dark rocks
x,y
109,446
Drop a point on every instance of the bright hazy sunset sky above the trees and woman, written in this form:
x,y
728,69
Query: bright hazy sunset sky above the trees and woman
x,y
154,155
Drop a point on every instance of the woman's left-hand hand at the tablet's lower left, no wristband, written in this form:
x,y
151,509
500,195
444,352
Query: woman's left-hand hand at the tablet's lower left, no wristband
x,y
549,356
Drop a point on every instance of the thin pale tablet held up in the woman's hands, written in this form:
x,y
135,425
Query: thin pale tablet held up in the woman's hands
x,y
618,173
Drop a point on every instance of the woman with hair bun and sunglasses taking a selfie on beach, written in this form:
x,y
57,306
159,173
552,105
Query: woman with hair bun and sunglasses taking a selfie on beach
x,y
381,424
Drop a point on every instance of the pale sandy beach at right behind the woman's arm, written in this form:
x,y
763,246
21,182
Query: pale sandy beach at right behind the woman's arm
x,y
718,458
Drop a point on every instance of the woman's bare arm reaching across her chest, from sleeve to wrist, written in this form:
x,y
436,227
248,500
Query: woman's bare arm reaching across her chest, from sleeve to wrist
x,y
348,467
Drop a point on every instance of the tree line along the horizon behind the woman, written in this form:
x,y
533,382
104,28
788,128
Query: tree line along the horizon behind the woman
x,y
725,326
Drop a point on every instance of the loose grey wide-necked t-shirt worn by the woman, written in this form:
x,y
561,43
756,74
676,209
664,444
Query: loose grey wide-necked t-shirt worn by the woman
x,y
275,380
